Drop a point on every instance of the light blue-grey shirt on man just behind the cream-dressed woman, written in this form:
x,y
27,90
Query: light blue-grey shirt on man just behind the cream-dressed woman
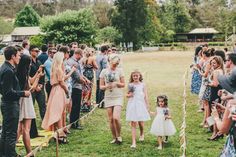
x,y
101,60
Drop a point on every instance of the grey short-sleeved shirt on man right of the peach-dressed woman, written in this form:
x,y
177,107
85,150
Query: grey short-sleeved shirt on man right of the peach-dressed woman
x,y
76,83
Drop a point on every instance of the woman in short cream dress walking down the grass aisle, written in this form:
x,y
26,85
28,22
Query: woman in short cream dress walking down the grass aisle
x,y
112,81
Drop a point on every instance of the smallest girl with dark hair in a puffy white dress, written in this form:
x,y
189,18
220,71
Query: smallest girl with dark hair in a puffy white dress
x,y
162,125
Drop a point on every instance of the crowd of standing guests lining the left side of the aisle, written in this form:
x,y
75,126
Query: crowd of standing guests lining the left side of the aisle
x,y
60,78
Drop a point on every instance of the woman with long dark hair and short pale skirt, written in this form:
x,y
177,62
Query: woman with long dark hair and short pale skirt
x,y
27,112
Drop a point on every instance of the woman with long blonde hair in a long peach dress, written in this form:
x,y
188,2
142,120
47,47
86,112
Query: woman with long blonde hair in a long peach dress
x,y
53,118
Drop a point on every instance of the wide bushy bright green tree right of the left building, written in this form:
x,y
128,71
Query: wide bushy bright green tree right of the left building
x,y
70,26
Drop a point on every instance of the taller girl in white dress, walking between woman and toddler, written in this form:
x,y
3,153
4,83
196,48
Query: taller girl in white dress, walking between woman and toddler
x,y
138,106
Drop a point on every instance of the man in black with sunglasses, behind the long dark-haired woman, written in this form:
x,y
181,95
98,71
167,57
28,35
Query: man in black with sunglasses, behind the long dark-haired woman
x,y
38,94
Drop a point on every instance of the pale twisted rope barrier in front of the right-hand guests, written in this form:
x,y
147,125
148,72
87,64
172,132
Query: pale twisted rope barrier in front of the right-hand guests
x,y
183,139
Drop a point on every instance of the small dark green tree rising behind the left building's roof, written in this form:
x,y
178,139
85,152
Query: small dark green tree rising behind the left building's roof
x,y
27,17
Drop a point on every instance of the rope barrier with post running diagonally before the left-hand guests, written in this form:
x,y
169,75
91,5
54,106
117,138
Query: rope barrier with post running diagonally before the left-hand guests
x,y
58,131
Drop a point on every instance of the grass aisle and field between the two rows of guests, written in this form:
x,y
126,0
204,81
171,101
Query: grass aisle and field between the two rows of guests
x,y
163,74
